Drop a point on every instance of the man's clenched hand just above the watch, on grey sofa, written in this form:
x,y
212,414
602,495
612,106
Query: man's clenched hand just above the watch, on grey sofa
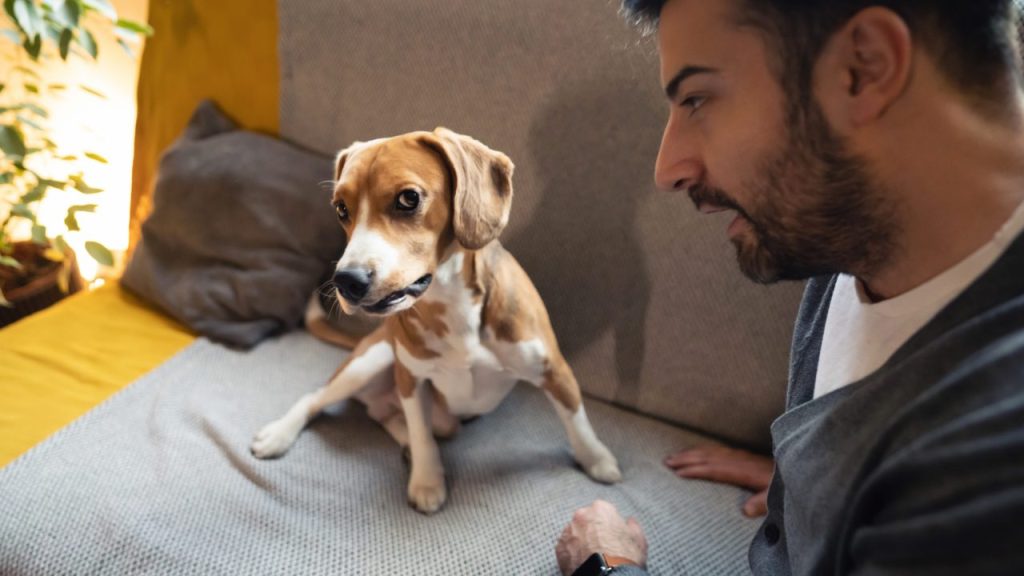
x,y
600,528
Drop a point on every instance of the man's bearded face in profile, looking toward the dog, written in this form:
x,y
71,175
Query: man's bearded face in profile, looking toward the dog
x,y
735,141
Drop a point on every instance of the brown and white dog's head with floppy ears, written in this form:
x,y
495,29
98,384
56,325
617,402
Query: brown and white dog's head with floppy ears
x,y
406,203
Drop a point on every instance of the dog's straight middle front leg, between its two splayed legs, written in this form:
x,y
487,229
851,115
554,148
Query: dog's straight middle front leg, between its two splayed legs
x,y
426,482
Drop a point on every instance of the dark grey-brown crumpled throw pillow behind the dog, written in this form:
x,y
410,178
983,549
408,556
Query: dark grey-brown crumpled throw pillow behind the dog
x,y
241,233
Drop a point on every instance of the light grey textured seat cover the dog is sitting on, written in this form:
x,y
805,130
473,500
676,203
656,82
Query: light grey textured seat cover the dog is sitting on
x,y
159,480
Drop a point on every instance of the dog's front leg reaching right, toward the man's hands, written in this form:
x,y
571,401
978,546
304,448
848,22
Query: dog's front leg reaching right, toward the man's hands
x,y
595,459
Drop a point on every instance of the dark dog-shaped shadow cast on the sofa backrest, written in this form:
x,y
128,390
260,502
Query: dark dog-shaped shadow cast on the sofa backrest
x,y
593,156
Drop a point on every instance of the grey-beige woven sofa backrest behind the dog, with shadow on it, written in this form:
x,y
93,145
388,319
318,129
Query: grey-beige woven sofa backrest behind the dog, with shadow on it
x,y
645,295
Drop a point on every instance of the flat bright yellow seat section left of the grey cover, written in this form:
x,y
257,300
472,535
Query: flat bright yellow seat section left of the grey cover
x,y
58,364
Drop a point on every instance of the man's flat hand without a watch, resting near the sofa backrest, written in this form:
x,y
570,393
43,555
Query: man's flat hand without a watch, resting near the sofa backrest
x,y
729,466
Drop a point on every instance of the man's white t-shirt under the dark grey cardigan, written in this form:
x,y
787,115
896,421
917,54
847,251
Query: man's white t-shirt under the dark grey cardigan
x,y
862,336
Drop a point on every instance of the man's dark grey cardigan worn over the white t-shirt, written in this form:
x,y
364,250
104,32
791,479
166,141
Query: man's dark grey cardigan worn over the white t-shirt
x,y
918,469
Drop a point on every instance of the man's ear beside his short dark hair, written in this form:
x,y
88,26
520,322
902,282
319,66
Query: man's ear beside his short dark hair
x,y
866,66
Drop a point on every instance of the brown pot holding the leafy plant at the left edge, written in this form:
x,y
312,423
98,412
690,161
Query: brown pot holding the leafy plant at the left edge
x,y
42,289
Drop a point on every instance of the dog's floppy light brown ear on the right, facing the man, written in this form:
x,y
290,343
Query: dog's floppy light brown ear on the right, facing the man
x,y
482,187
